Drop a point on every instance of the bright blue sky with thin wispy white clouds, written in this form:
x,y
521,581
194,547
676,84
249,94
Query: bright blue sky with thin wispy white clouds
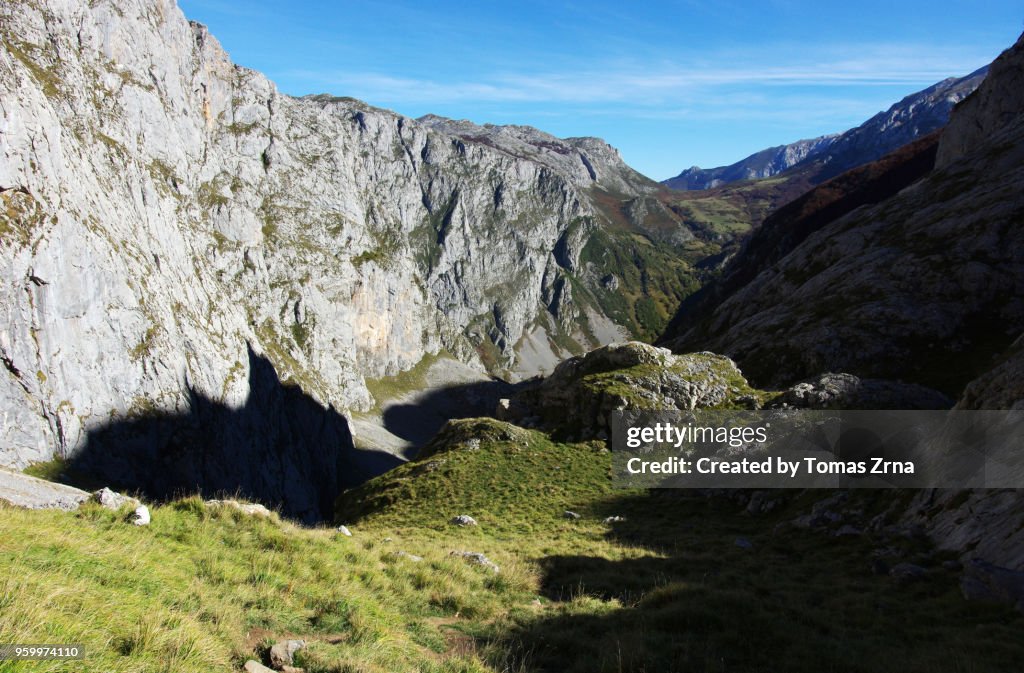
x,y
671,85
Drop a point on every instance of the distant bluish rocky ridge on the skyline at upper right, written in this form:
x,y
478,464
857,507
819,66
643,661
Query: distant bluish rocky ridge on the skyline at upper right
x,y
828,156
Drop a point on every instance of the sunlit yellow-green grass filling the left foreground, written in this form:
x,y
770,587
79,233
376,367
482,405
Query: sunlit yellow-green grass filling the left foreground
x,y
203,590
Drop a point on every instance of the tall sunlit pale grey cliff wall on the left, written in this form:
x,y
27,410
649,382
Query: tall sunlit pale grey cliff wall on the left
x,y
165,211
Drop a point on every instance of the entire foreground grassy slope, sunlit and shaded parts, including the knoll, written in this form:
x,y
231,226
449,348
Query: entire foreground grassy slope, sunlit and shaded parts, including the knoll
x,y
669,590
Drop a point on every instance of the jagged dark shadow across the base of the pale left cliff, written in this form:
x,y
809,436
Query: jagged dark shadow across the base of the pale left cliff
x,y
282,448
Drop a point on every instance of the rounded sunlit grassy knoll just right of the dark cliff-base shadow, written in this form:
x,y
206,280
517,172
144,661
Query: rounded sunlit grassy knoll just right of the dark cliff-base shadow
x,y
513,481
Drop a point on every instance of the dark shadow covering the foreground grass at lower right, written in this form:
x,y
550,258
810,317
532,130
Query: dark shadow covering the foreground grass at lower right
x,y
706,586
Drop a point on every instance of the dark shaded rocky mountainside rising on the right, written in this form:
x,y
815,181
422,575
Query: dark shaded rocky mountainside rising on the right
x,y
924,285
